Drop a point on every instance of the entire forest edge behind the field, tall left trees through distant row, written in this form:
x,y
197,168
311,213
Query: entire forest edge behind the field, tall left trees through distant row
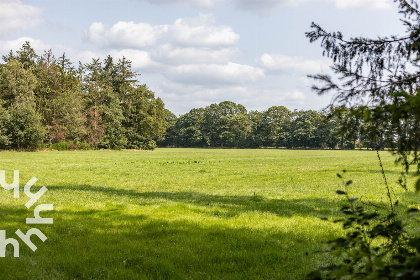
x,y
45,101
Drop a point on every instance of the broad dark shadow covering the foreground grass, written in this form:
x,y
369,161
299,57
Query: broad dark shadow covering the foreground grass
x,y
93,245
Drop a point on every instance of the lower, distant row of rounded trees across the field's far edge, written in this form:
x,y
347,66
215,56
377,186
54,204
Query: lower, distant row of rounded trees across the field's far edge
x,y
228,124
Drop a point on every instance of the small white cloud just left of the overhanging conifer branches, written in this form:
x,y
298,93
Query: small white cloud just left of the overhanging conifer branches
x,y
284,64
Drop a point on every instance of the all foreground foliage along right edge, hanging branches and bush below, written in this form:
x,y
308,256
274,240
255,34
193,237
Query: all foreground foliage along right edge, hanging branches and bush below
x,y
379,79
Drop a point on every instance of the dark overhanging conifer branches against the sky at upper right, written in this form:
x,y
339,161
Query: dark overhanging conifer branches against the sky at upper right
x,y
378,79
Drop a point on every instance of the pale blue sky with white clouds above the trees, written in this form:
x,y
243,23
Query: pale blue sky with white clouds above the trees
x,y
192,53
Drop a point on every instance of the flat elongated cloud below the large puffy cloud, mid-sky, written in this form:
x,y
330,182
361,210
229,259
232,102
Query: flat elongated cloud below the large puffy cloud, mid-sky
x,y
214,74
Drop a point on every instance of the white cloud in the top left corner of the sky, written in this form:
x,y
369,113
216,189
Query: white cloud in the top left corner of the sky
x,y
15,15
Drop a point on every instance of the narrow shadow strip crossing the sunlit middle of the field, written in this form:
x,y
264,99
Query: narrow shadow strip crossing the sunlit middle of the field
x,y
233,205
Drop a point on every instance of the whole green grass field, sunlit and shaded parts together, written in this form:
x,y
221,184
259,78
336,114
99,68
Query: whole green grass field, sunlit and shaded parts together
x,y
185,213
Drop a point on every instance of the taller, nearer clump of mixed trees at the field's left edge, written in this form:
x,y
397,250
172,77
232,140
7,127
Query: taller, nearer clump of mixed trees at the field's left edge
x,y
46,100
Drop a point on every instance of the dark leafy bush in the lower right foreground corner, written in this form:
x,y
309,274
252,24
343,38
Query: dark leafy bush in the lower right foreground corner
x,y
376,245
